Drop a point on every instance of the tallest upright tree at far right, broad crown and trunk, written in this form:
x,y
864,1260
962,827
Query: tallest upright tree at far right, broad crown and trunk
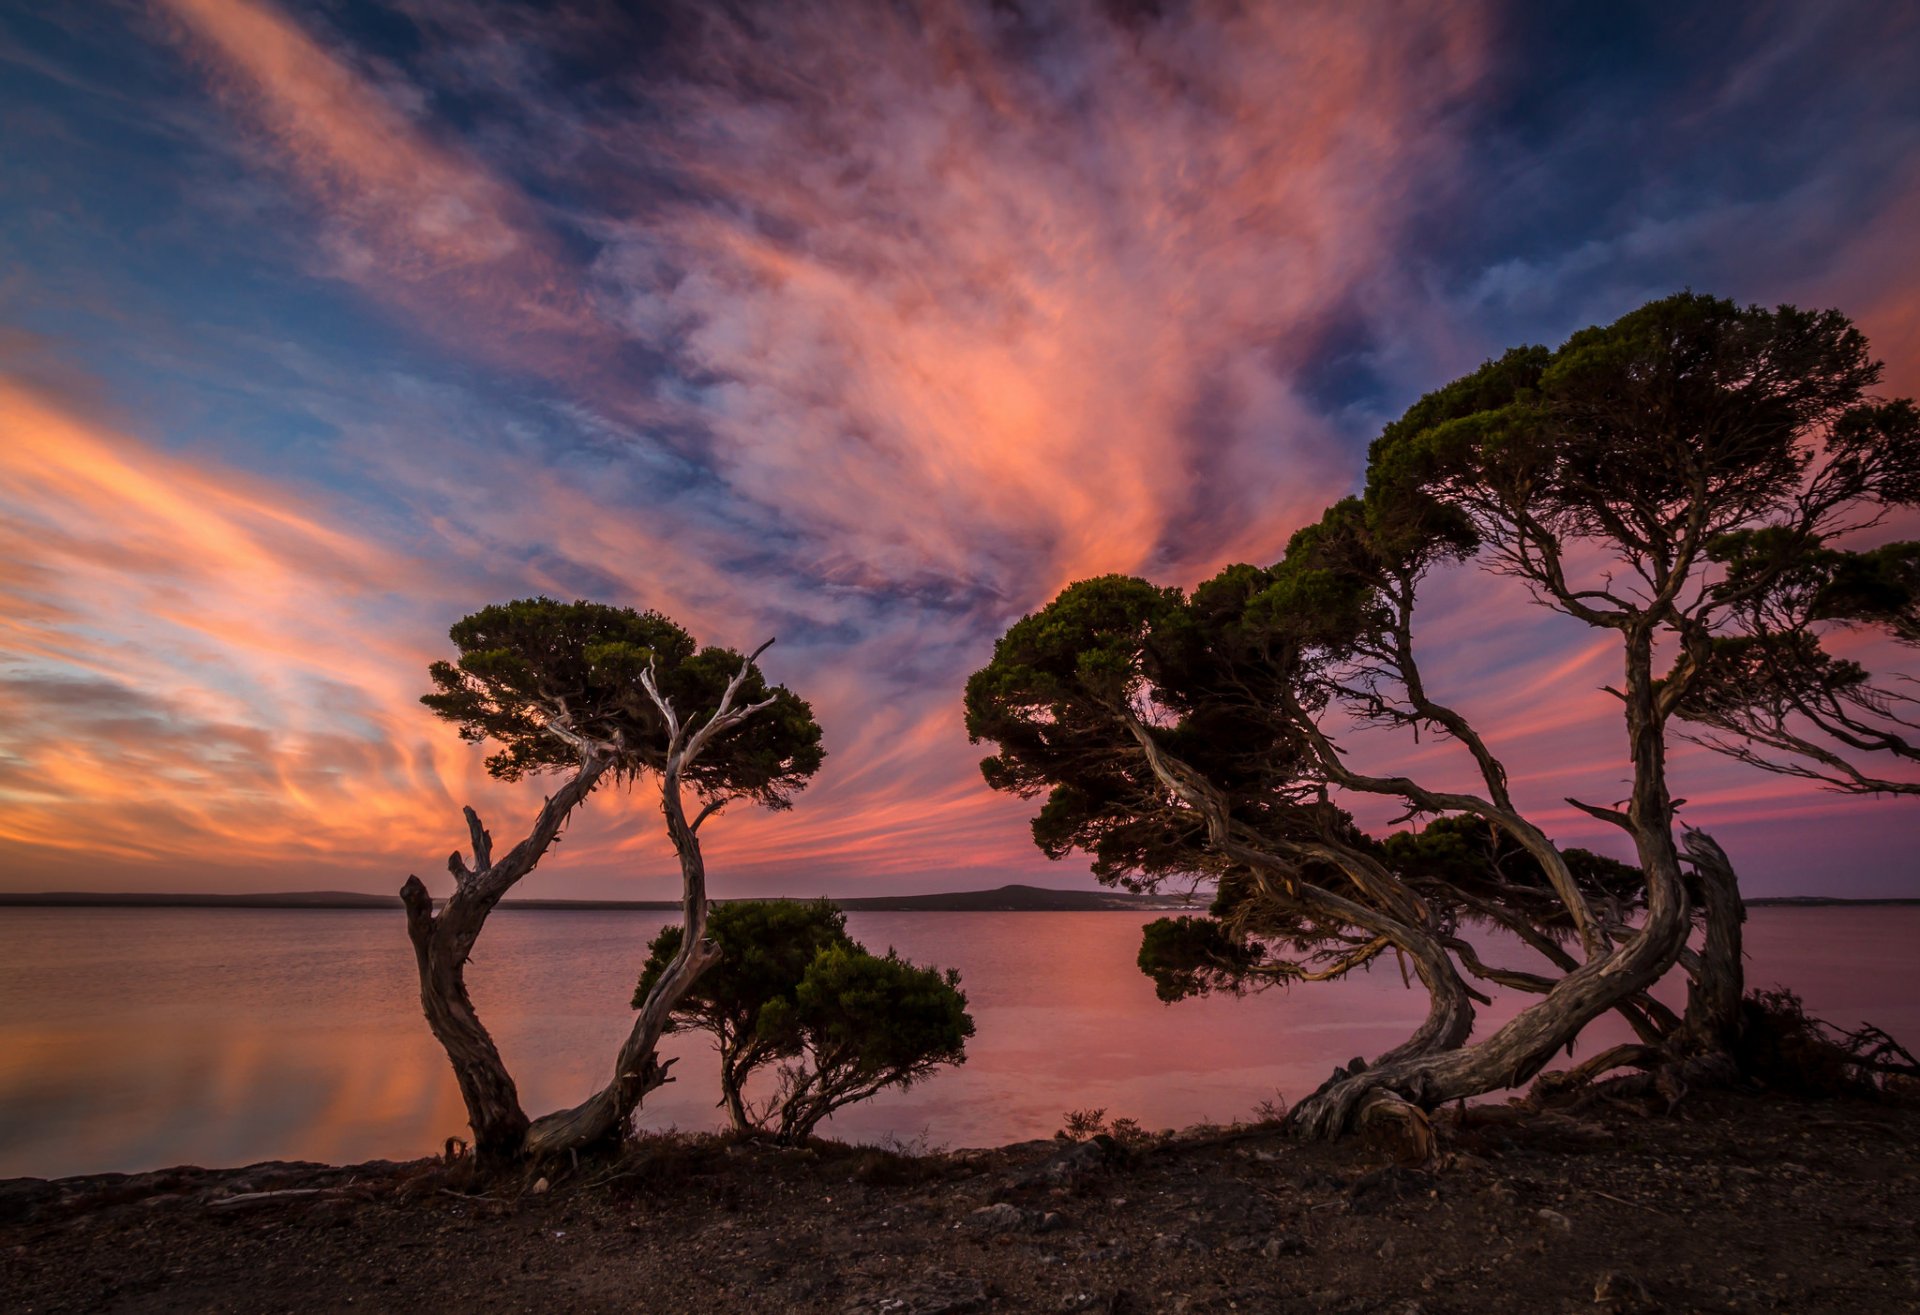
x,y
1616,479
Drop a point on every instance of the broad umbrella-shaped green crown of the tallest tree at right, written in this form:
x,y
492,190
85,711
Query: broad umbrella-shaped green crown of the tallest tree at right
x,y
1687,419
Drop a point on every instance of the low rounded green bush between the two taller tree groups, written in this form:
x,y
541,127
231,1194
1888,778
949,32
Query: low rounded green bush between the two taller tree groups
x,y
794,990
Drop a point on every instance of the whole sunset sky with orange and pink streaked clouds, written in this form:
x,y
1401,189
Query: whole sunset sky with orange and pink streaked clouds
x,y
865,327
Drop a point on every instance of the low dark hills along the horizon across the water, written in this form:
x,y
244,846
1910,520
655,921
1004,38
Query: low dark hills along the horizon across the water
x,y
1019,899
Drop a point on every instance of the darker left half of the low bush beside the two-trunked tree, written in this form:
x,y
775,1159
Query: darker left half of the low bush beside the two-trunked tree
x,y
765,953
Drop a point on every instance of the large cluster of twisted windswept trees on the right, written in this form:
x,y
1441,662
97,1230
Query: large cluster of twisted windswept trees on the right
x,y
1614,479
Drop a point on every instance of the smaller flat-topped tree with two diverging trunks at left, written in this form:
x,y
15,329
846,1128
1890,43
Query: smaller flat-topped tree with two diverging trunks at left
x,y
592,694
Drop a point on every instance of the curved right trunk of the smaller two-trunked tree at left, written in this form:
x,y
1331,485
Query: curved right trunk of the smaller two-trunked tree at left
x,y
604,1116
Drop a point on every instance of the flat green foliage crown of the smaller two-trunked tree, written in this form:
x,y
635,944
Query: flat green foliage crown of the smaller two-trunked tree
x,y
533,665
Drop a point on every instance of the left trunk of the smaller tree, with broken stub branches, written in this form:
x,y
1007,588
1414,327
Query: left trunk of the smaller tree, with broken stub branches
x,y
443,945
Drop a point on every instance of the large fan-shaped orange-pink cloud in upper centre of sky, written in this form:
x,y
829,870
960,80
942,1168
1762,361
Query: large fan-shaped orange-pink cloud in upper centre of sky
x,y
944,339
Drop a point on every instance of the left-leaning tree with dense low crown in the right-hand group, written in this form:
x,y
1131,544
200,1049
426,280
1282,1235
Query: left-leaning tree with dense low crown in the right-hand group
x,y
1159,729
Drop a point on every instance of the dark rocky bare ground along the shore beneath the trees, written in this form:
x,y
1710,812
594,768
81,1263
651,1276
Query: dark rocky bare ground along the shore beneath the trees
x,y
1729,1205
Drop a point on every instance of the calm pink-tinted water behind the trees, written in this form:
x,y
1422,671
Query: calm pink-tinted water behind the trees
x,y
135,1040
